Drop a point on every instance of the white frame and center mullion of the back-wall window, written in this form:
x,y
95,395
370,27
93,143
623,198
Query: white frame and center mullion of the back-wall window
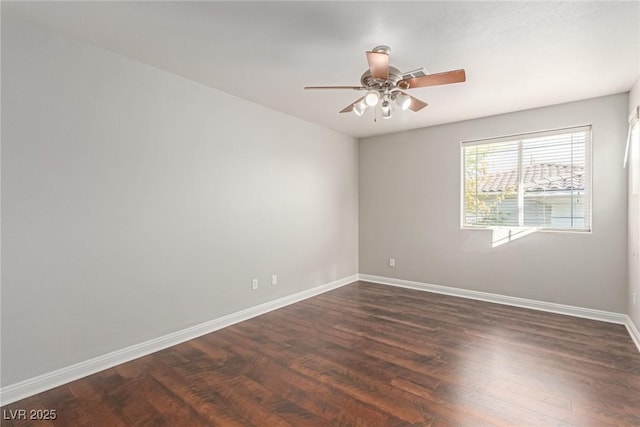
x,y
518,138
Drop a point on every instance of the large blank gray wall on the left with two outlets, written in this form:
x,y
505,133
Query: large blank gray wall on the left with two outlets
x,y
136,203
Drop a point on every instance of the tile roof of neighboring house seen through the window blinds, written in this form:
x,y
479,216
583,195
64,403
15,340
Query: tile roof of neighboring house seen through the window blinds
x,y
537,177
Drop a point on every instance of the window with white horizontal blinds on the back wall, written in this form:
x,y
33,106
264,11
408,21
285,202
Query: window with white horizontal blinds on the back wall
x,y
539,180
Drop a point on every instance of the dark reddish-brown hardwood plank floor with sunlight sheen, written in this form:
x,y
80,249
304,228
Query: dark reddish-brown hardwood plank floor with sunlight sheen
x,y
370,355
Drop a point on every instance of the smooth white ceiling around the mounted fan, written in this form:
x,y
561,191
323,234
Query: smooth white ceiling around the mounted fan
x,y
517,55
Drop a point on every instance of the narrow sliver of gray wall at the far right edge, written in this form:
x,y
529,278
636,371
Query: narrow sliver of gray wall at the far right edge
x,y
634,231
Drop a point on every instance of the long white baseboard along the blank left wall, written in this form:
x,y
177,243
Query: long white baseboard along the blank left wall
x,y
32,386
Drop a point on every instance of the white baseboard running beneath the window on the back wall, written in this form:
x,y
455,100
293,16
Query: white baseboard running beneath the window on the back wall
x,y
605,316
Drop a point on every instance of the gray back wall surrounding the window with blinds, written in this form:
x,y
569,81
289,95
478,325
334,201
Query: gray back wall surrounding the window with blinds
x,y
410,210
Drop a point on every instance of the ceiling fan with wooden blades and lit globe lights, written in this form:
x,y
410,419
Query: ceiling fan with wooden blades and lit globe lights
x,y
386,84
